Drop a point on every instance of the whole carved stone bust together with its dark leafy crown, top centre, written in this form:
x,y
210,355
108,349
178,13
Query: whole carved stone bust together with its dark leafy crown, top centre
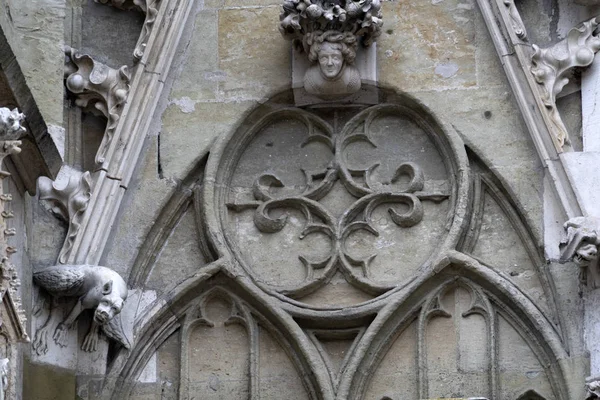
x,y
329,33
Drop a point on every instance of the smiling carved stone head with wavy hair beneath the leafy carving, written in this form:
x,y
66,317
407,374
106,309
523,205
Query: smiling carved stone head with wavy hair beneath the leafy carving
x,y
333,73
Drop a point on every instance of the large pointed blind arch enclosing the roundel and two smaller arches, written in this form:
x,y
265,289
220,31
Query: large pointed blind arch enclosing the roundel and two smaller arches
x,y
364,254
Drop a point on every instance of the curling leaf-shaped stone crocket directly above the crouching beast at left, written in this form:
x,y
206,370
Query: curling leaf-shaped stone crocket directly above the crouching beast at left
x,y
69,204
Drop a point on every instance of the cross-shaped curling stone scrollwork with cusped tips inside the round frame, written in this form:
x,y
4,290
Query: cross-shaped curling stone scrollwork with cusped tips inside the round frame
x,y
402,194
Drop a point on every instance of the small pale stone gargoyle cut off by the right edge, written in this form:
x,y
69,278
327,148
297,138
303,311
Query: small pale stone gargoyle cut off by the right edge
x,y
581,245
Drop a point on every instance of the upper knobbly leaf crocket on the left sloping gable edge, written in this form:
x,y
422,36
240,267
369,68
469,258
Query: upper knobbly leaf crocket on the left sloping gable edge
x,y
97,88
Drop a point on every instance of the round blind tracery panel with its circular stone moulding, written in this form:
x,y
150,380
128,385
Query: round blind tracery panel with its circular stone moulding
x,y
337,206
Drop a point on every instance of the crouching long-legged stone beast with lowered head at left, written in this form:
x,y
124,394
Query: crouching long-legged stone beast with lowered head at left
x,y
97,288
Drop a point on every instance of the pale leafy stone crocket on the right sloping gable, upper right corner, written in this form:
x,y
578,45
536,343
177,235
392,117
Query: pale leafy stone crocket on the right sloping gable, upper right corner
x,y
551,67
